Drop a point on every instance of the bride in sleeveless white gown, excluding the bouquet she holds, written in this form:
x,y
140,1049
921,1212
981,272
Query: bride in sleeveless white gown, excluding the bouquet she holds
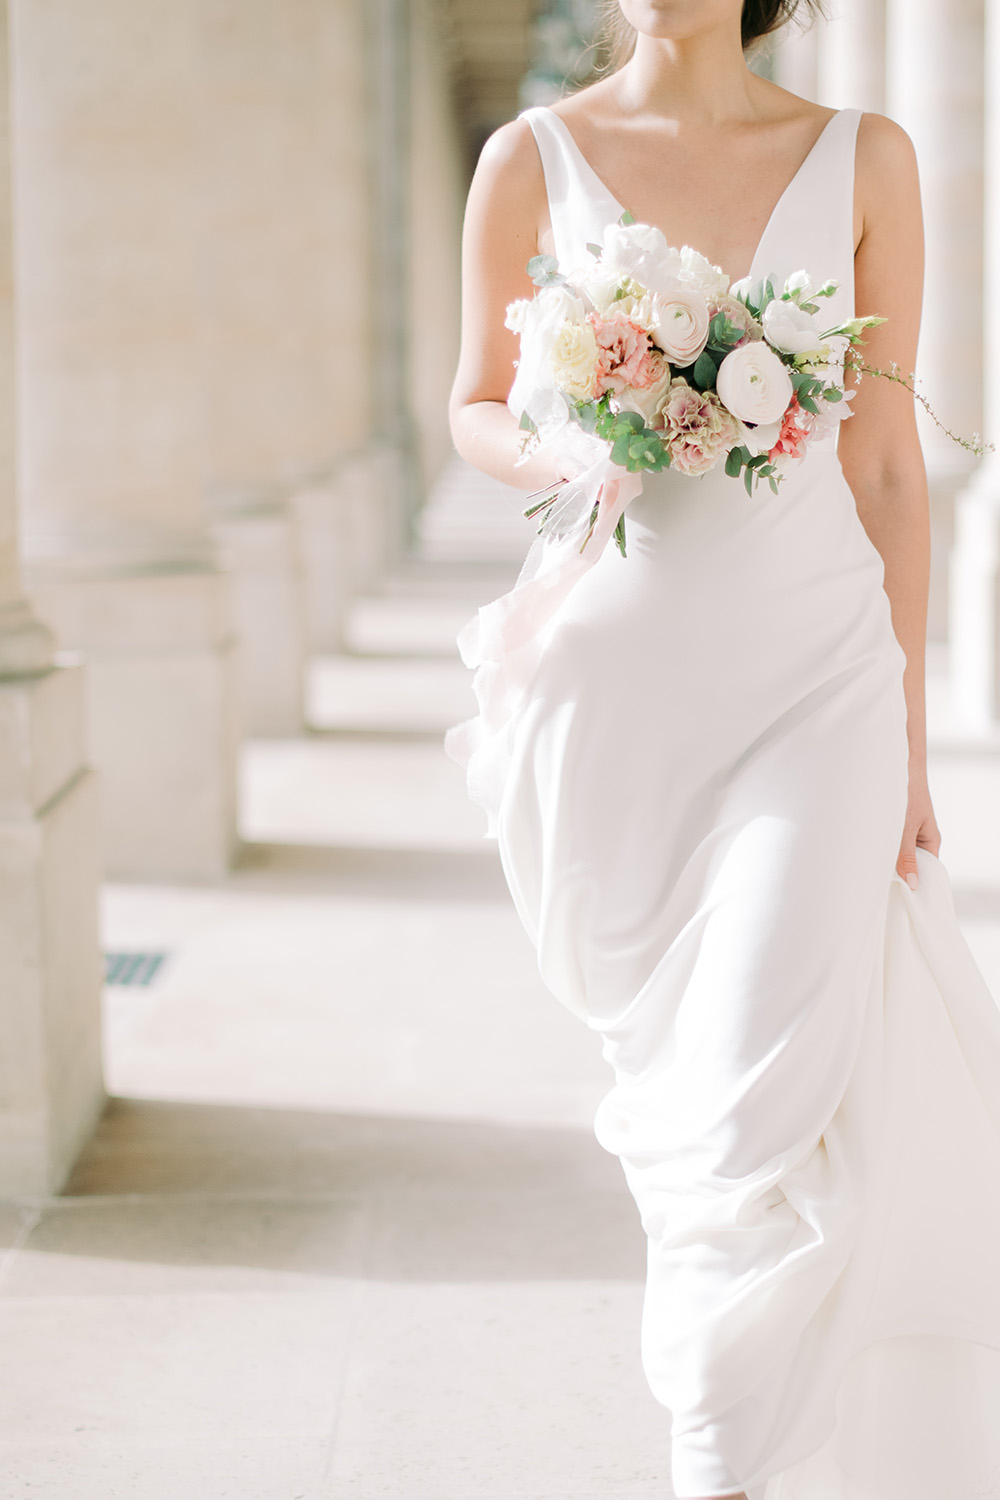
x,y
707,770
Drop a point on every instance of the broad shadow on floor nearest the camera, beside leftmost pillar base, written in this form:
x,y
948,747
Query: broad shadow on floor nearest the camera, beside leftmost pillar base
x,y
307,1193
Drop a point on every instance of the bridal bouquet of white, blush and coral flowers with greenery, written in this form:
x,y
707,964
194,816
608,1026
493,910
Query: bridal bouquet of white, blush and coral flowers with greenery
x,y
651,350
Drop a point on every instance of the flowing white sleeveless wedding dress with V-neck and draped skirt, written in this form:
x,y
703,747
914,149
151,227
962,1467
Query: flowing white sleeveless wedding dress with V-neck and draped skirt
x,y
695,763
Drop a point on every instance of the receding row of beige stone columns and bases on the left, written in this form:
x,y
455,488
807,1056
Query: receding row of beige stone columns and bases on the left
x,y
226,416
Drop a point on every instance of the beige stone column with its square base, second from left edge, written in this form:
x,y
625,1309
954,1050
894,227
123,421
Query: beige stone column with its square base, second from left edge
x,y
118,548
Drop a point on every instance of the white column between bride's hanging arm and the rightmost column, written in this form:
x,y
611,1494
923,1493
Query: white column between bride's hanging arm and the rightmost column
x,y
935,89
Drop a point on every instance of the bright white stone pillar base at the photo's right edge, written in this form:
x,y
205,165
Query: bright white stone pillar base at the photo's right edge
x,y
975,604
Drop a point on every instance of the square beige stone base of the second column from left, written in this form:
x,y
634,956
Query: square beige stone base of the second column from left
x,y
163,716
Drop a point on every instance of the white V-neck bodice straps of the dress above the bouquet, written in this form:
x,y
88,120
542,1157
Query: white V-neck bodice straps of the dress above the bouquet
x,y
812,226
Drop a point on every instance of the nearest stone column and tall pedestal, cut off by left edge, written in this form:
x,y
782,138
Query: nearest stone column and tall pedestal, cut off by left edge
x,y
50,964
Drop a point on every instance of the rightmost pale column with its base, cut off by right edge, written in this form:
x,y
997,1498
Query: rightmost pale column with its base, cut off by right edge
x,y
975,566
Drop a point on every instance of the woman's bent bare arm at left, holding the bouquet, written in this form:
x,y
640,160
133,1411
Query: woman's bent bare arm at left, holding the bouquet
x,y
506,214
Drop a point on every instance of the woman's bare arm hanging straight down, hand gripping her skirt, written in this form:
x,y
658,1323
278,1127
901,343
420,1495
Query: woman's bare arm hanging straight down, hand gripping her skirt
x,y
879,446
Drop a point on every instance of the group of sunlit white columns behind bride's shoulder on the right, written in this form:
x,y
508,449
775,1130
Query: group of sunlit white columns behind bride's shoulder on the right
x,y
923,64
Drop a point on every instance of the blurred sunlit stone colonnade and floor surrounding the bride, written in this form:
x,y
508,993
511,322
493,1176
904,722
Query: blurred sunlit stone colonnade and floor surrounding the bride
x,y
295,1148
